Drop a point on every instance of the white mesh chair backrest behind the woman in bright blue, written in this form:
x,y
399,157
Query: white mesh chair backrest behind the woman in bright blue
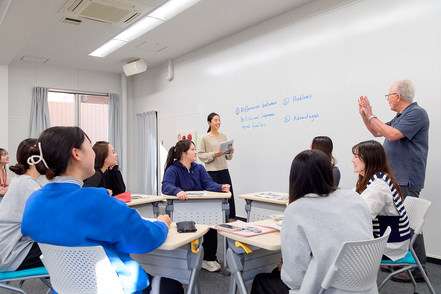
x,y
85,270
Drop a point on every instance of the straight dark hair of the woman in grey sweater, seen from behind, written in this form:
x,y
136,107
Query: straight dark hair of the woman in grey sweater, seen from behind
x,y
310,173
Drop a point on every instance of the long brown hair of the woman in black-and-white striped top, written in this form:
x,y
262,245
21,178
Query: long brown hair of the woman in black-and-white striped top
x,y
374,158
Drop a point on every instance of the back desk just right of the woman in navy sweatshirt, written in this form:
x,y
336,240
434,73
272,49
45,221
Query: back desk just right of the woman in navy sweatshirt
x,y
259,208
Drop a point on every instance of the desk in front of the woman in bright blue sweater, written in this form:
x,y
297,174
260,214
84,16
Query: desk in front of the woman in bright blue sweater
x,y
175,258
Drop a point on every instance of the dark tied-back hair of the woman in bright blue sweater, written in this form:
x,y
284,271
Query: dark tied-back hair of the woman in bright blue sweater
x,y
57,144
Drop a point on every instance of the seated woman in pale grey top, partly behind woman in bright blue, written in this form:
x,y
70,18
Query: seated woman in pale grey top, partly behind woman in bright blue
x,y
18,252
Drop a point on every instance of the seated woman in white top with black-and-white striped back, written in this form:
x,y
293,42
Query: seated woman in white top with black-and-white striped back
x,y
377,186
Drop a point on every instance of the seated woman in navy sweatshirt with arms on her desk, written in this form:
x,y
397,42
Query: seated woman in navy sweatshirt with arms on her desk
x,y
183,174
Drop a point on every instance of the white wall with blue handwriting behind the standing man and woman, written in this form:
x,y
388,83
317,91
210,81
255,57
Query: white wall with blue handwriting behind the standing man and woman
x,y
371,44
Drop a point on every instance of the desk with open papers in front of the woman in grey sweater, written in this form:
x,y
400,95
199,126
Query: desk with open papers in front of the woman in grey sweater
x,y
265,256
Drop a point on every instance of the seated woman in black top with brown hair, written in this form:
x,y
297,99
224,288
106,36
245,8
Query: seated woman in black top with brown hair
x,y
106,174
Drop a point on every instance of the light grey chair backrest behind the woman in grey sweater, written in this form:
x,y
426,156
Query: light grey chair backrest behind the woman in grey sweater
x,y
356,266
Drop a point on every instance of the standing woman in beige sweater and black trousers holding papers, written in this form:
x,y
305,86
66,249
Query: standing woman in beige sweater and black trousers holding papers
x,y
215,161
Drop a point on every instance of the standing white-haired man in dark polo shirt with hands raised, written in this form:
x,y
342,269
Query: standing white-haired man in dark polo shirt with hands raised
x,y
406,144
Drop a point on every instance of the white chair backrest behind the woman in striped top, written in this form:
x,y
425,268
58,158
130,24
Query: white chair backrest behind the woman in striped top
x,y
416,209
